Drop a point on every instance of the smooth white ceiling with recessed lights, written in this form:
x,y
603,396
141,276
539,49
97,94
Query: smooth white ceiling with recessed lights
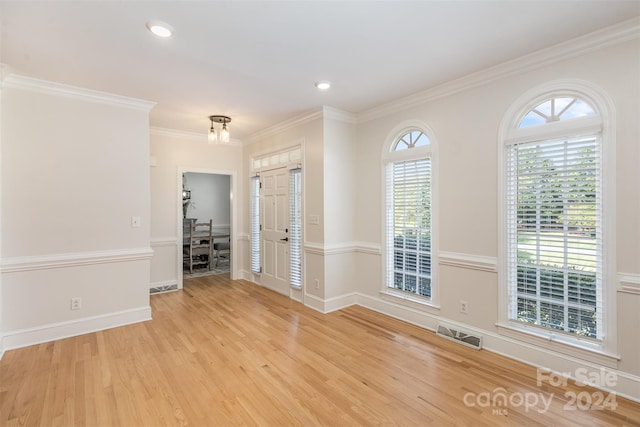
x,y
257,61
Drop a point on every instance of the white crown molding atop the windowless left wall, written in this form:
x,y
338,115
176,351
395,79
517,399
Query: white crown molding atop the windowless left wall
x,y
51,88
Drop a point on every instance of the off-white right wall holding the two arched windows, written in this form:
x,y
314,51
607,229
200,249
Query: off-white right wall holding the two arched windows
x,y
465,125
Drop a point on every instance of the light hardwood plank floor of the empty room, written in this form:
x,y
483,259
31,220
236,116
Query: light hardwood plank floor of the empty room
x,y
232,353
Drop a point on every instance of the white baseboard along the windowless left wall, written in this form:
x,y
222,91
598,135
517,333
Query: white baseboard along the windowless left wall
x,y
71,328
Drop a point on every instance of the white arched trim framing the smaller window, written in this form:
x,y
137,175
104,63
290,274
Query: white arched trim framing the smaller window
x,y
388,157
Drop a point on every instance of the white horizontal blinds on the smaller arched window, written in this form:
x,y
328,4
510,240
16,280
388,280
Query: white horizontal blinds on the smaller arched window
x,y
409,226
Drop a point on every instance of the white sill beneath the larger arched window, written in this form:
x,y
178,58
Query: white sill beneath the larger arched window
x,y
572,347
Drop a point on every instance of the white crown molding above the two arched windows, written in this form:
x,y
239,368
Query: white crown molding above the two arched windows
x,y
619,33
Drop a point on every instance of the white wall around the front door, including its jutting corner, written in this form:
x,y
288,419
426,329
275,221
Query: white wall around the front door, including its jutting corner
x,y
329,190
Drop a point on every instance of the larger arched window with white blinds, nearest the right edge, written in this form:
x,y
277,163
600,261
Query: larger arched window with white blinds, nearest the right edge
x,y
554,219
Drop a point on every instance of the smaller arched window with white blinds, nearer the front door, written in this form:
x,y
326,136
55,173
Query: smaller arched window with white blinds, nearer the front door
x,y
409,214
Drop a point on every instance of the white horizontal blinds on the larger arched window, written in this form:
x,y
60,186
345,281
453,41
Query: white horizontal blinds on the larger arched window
x,y
554,236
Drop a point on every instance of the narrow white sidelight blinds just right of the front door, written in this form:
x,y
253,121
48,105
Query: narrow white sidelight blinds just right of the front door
x,y
295,232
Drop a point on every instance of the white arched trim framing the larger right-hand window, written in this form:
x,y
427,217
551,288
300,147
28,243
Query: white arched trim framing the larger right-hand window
x,y
509,133
